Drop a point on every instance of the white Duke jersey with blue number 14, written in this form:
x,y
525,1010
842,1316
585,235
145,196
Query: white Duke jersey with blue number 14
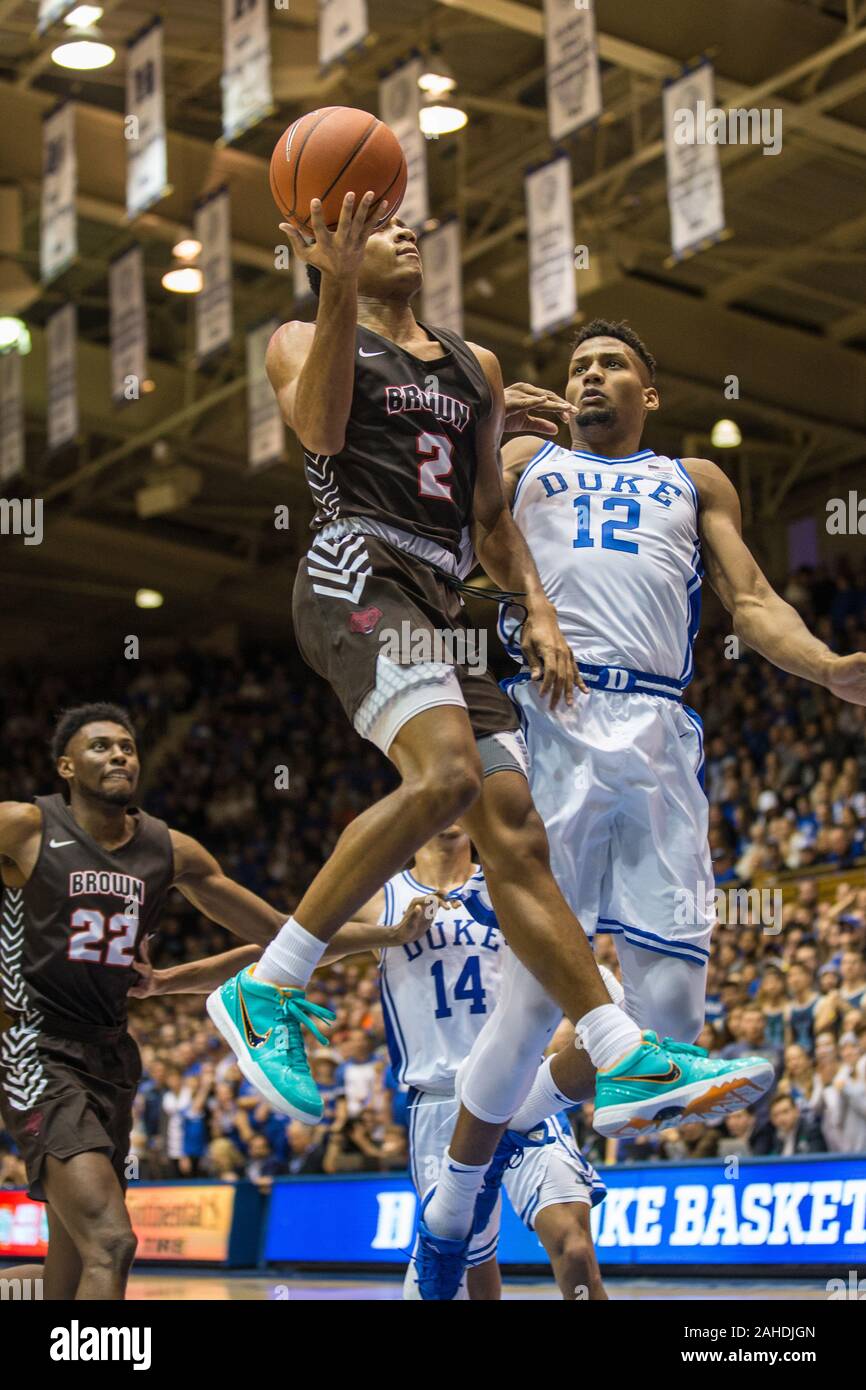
x,y
439,992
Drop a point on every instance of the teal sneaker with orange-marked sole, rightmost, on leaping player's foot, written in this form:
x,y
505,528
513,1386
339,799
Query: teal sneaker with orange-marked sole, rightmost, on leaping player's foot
x,y
661,1085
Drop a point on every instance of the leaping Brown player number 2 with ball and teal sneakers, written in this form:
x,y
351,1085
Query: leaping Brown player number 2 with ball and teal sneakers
x,y
401,429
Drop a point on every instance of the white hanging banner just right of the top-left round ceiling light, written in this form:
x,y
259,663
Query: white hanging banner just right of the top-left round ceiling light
x,y
145,123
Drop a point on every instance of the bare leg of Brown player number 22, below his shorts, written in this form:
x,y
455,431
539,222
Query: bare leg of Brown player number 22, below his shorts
x,y
87,1199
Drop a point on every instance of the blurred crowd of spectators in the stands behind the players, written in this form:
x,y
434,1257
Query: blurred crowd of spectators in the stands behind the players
x,y
269,774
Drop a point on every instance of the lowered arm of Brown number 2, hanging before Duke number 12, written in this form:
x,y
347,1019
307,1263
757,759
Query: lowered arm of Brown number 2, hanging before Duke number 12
x,y
505,555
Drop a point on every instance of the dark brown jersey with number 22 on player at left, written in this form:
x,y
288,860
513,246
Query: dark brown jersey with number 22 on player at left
x,y
70,936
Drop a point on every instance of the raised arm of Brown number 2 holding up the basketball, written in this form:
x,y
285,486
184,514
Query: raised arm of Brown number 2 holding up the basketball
x,y
312,366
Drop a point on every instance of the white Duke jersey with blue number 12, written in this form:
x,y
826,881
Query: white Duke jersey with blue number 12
x,y
618,551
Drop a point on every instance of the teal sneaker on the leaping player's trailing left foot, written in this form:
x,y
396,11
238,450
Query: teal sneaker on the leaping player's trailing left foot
x,y
263,1024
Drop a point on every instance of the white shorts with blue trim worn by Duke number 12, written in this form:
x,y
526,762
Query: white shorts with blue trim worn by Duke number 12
x,y
616,782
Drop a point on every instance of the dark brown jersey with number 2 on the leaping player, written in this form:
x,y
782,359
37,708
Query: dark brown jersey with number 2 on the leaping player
x,y
409,458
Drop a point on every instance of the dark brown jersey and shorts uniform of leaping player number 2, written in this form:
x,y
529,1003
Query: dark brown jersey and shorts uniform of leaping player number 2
x,y
408,476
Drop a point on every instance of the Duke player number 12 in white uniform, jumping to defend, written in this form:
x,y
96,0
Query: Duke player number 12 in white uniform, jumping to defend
x,y
629,825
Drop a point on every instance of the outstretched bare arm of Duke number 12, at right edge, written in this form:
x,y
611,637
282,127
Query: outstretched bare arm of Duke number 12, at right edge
x,y
762,619
